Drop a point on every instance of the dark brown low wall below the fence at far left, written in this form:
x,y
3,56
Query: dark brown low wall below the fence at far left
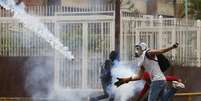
x,y
13,74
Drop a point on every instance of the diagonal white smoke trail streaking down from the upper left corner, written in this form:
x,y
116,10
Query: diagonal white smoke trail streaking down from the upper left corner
x,y
33,23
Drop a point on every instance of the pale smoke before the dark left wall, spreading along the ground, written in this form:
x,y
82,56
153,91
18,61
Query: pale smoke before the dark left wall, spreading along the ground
x,y
39,82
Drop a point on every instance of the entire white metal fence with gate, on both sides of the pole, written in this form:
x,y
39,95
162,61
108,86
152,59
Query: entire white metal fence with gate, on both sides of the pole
x,y
89,34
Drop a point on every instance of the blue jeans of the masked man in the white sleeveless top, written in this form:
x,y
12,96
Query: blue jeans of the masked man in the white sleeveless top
x,y
156,88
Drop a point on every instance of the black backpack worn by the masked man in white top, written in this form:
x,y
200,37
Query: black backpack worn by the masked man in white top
x,y
163,62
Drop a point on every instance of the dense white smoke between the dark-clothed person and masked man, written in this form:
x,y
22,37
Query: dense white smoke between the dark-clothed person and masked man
x,y
131,89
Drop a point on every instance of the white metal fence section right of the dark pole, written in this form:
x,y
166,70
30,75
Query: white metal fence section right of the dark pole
x,y
162,32
